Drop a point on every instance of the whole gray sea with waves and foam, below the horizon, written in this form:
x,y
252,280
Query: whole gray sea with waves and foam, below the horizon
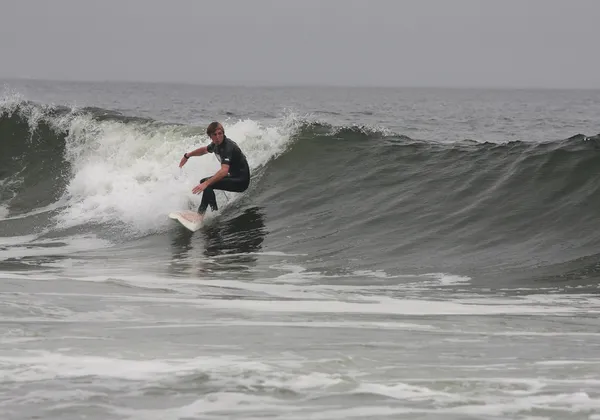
x,y
400,254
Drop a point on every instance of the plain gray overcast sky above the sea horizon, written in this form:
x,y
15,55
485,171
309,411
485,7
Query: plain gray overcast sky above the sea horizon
x,y
491,43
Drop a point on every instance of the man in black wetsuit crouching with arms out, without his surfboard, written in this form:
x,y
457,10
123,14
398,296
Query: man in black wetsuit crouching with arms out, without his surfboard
x,y
234,174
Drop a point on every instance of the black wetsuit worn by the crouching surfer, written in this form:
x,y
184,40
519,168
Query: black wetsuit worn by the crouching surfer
x,y
238,178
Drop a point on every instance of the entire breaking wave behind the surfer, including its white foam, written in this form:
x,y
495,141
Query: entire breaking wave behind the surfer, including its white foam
x,y
361,191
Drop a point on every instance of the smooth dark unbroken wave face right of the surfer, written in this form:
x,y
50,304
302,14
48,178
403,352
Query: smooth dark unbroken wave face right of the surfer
x,y
505,205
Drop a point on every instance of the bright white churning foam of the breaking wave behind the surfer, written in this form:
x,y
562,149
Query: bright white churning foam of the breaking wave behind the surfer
x,y
129,172
